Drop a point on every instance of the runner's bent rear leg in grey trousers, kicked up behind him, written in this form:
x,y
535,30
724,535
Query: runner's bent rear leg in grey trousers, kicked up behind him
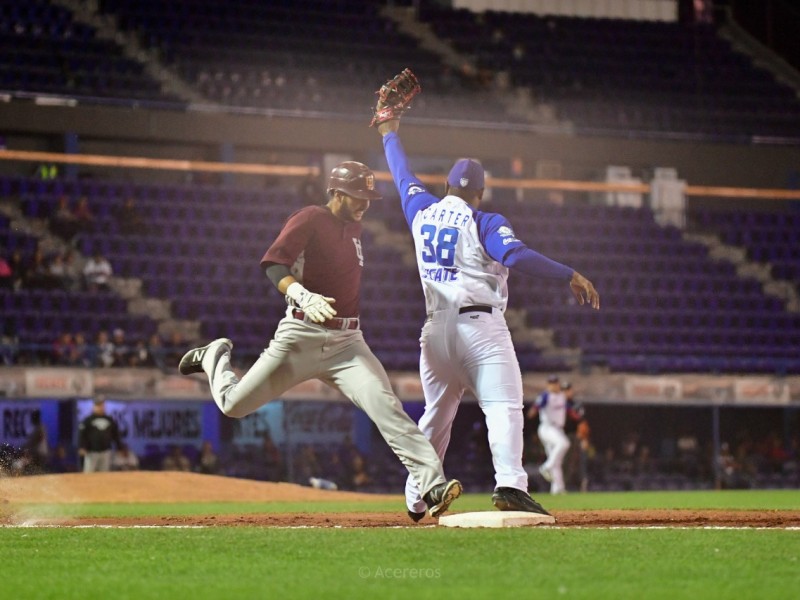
x,y
292,357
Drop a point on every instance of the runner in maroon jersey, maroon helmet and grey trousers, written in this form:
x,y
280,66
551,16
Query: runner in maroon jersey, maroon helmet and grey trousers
x,y
316,262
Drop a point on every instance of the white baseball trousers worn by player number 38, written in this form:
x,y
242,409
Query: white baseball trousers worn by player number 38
x,y
472,351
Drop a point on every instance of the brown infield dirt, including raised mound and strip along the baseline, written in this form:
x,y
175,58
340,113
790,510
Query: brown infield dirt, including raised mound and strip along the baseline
x,y
61,491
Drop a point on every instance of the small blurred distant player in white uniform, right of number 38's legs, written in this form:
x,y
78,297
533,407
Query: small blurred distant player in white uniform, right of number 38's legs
x,y
553,409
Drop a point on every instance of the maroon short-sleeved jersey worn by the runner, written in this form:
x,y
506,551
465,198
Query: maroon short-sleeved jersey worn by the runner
x,y
325,253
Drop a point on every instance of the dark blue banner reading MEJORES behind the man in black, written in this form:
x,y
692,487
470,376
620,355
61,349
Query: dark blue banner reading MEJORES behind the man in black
x,y
143,424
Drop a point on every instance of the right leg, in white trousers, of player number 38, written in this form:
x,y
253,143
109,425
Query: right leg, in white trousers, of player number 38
x,y
494,375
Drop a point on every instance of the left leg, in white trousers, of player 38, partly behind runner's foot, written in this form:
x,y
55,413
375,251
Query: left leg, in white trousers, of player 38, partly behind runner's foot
x,y
443,391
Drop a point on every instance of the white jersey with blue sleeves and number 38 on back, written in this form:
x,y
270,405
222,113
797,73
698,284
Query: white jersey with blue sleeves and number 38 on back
x,y
463,254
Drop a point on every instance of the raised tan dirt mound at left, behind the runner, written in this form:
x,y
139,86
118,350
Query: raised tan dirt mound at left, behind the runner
x,y
161,486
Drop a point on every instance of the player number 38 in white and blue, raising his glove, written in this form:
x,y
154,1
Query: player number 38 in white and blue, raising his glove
x,y
464,256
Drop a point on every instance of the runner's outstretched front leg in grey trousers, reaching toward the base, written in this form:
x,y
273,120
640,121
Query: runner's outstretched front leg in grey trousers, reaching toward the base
x,y
356,373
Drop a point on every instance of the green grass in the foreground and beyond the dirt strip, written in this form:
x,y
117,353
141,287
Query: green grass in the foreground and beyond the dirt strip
x,y
419,562
